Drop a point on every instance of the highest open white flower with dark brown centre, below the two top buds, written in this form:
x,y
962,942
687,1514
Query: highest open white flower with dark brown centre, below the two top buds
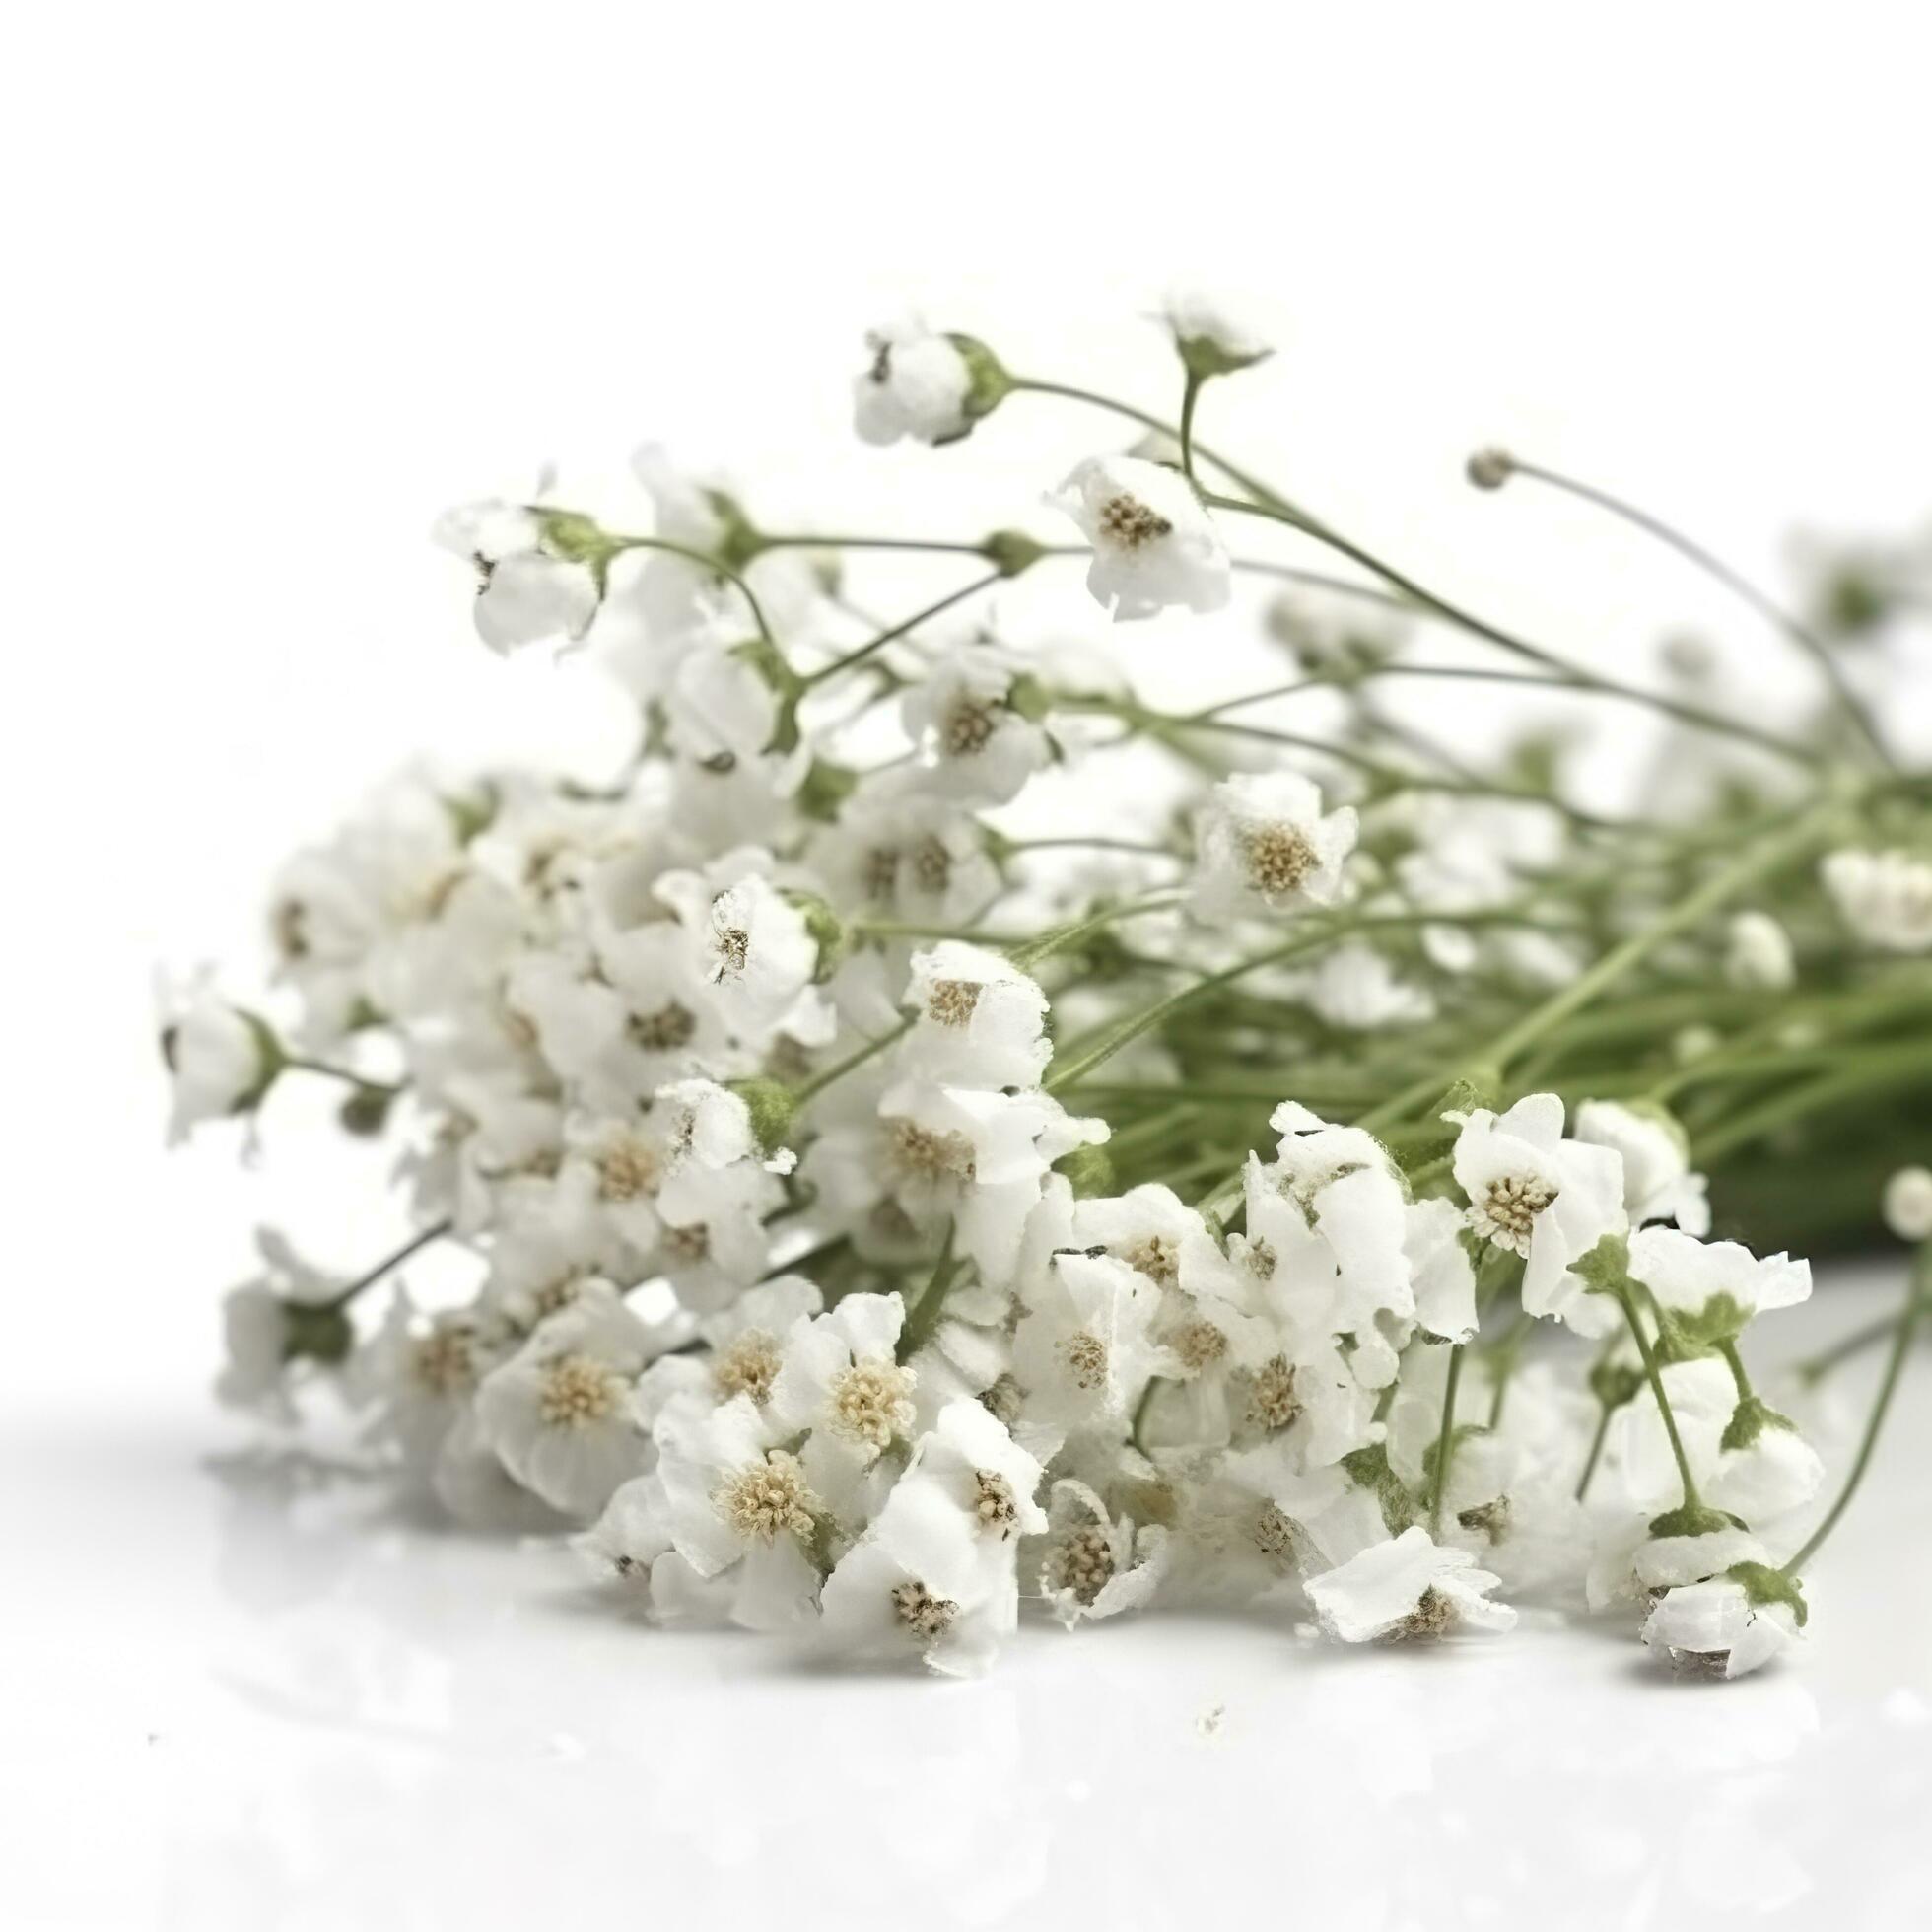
x,y
1154,546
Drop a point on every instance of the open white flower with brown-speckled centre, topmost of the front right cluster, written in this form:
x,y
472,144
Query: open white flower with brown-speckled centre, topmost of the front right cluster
x,y
1547,1199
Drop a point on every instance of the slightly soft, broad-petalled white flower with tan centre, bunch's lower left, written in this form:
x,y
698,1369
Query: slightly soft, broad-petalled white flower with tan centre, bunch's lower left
x,y
559,1411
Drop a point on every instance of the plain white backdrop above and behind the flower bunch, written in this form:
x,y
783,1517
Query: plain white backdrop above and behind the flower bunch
x,y
283,283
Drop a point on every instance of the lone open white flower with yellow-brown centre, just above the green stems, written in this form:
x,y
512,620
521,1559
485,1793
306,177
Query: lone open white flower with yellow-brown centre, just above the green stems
x,y
1264,845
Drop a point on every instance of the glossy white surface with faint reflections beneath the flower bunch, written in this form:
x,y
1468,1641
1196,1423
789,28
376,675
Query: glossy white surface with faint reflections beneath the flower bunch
x,y
244,1693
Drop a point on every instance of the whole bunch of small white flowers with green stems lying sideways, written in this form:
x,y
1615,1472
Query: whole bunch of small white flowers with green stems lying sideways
x,y
1284,1176
